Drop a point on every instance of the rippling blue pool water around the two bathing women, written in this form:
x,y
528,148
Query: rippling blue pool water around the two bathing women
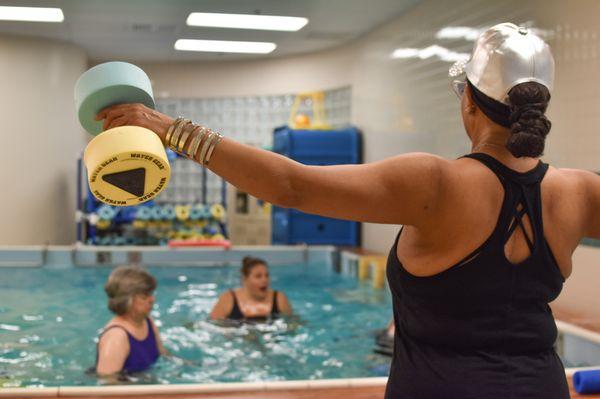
x,y
49,320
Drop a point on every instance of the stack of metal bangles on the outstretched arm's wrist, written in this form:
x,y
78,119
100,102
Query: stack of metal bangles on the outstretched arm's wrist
x,y
200,138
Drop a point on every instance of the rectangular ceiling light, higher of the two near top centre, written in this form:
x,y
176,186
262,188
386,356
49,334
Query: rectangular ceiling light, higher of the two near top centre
x,y
246,21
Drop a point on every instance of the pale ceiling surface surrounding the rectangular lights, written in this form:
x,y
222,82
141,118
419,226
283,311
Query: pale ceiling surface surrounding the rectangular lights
x,y
145,30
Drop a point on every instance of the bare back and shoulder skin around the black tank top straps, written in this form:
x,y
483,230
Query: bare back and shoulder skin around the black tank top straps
x,y
468,214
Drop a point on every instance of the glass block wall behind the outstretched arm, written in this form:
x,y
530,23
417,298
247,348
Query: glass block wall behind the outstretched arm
x,y
250,120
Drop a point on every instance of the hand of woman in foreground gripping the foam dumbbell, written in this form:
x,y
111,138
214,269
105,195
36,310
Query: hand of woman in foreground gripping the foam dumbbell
x,y
135,115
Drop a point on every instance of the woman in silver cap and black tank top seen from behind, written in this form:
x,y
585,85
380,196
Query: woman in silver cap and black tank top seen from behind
x,y
487,239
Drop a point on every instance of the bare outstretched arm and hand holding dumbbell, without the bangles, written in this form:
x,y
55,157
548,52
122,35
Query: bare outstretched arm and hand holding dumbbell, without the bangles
x,y
400,190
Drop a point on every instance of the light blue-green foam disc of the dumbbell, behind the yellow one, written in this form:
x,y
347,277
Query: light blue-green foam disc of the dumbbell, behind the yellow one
x,y
109,84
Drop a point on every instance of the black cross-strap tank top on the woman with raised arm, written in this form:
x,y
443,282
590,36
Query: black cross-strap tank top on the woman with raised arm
x,y
482,328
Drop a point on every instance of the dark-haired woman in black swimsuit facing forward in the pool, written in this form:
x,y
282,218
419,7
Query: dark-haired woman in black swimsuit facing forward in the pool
x,y
254,301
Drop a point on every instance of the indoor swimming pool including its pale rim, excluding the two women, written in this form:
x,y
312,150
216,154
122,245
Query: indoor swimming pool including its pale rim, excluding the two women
x,y
51,311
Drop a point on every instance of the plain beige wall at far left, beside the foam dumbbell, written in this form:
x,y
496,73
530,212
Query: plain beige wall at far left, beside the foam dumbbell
x,y
41,139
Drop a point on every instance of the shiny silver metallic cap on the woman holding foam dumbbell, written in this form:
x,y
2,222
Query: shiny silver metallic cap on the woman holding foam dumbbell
x,y
504,56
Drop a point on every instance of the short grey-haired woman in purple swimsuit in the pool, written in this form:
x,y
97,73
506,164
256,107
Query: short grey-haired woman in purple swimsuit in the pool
x,y
130,341
